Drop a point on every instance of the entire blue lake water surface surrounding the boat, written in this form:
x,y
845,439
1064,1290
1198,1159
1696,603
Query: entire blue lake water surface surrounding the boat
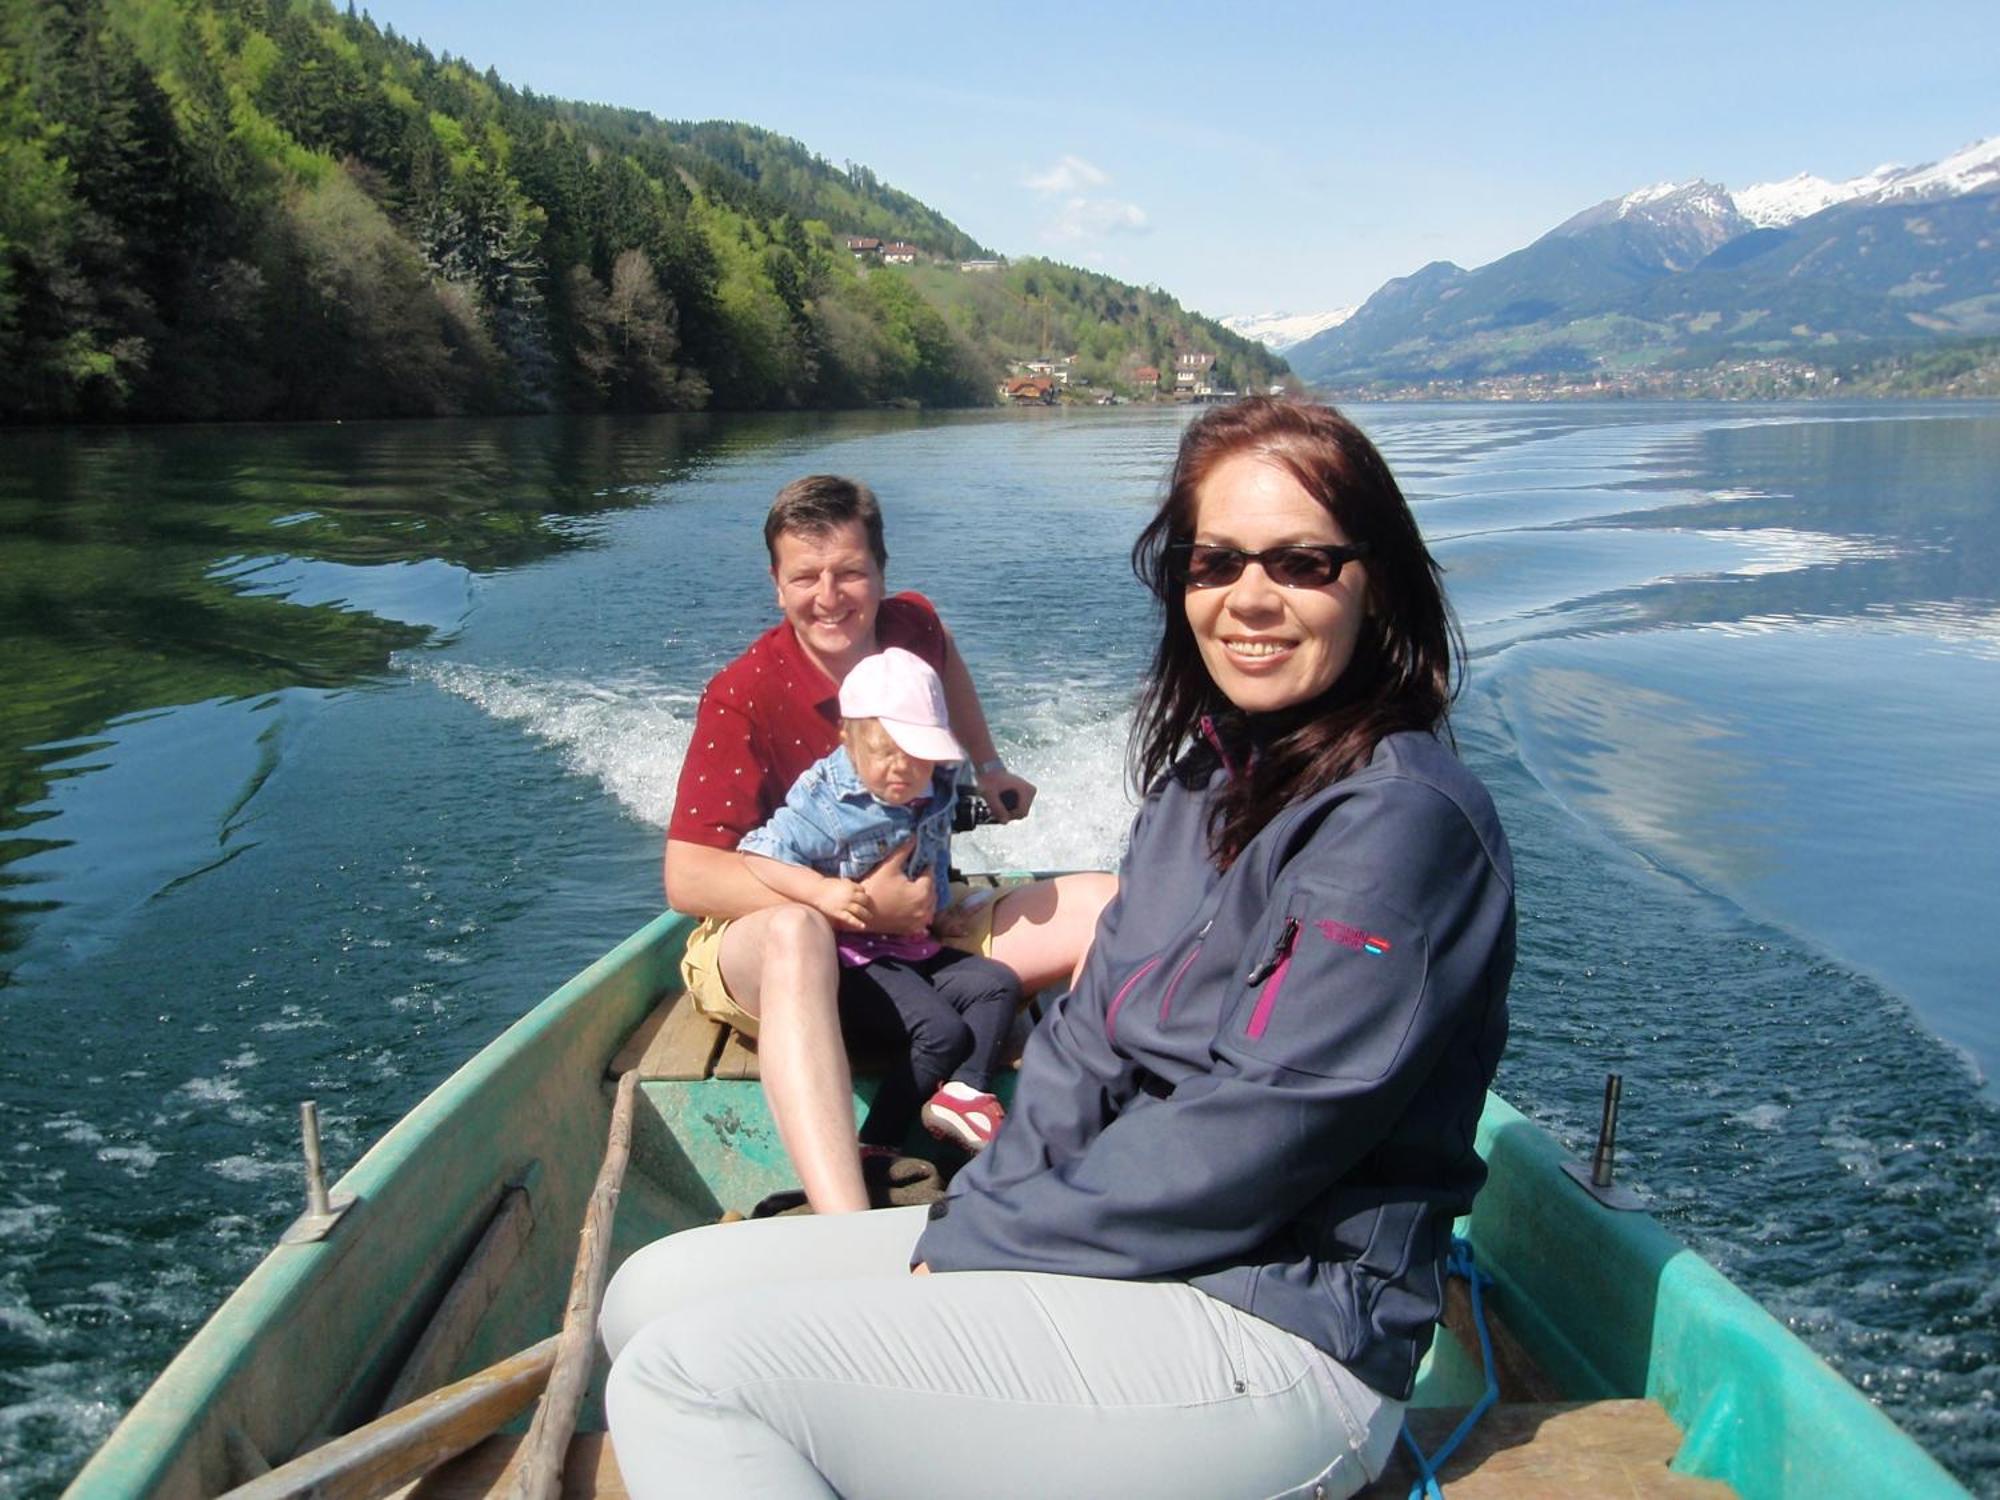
x,y
327,751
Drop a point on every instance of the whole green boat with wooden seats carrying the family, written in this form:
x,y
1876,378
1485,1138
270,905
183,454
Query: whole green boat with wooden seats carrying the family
x,y
1627,1363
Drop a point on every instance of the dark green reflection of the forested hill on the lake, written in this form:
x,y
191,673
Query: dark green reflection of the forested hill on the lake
x,y
209,567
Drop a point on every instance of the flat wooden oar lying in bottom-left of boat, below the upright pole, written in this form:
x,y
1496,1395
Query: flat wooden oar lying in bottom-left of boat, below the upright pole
x,y
413,1441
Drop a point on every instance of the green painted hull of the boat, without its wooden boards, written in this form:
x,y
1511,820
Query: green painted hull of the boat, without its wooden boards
x,y
1609,1305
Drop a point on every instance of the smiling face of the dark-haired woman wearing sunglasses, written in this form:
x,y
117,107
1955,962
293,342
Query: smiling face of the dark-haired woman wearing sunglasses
x,y
1271,647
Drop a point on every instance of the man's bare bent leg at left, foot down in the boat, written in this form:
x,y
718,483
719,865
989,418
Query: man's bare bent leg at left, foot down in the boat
x,y
781,967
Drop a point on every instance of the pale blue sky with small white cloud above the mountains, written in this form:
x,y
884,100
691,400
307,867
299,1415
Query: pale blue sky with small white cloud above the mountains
x,y
1293,157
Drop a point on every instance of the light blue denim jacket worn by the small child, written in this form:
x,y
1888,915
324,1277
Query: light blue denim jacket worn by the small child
x,y
833,823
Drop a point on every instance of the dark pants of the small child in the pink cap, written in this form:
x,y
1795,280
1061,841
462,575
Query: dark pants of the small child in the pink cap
x,y
945,1017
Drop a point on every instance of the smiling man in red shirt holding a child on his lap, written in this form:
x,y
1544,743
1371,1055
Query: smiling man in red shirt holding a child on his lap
x,y
767,965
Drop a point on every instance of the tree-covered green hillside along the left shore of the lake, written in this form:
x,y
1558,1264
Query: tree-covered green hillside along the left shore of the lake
x,y
271,209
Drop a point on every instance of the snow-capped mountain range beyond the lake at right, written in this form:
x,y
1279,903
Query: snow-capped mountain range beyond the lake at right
x,y
1695,273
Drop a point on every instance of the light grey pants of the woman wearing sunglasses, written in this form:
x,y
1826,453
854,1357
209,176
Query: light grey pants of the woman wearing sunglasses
x,y
797,1357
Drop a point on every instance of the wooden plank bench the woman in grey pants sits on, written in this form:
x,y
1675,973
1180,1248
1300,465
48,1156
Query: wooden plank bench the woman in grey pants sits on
x,y
1517,1453
